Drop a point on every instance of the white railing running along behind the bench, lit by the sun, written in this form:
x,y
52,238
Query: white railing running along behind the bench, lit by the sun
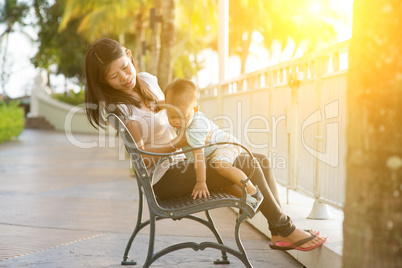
x,y
295,113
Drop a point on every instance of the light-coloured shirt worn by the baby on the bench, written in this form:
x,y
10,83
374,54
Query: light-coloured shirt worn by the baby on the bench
x,y
197,133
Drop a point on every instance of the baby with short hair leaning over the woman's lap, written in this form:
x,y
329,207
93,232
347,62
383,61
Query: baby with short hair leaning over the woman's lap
x,y
184,115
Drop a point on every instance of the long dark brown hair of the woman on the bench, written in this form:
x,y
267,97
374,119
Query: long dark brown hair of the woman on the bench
x,y
99,95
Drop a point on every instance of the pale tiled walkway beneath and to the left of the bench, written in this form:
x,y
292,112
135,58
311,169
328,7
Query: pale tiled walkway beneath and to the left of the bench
x,y
65,206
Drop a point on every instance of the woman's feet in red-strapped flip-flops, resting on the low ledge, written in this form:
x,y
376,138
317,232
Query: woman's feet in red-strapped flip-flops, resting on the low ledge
x,y
299,235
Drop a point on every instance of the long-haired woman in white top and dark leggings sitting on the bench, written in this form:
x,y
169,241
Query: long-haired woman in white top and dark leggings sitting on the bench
x,y
114,83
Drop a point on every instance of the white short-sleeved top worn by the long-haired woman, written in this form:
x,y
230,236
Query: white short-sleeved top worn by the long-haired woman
x,y
155,128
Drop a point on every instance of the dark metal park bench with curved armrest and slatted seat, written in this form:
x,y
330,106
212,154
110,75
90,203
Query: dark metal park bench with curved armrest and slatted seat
x,y
181,207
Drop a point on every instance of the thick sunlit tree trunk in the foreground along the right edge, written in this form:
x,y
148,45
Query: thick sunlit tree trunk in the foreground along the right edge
x,y
373,208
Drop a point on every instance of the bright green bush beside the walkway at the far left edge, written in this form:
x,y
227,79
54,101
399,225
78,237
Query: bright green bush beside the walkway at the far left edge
x,y
11,121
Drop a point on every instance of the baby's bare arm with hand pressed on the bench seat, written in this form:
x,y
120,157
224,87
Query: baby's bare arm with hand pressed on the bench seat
x,y
200,189
